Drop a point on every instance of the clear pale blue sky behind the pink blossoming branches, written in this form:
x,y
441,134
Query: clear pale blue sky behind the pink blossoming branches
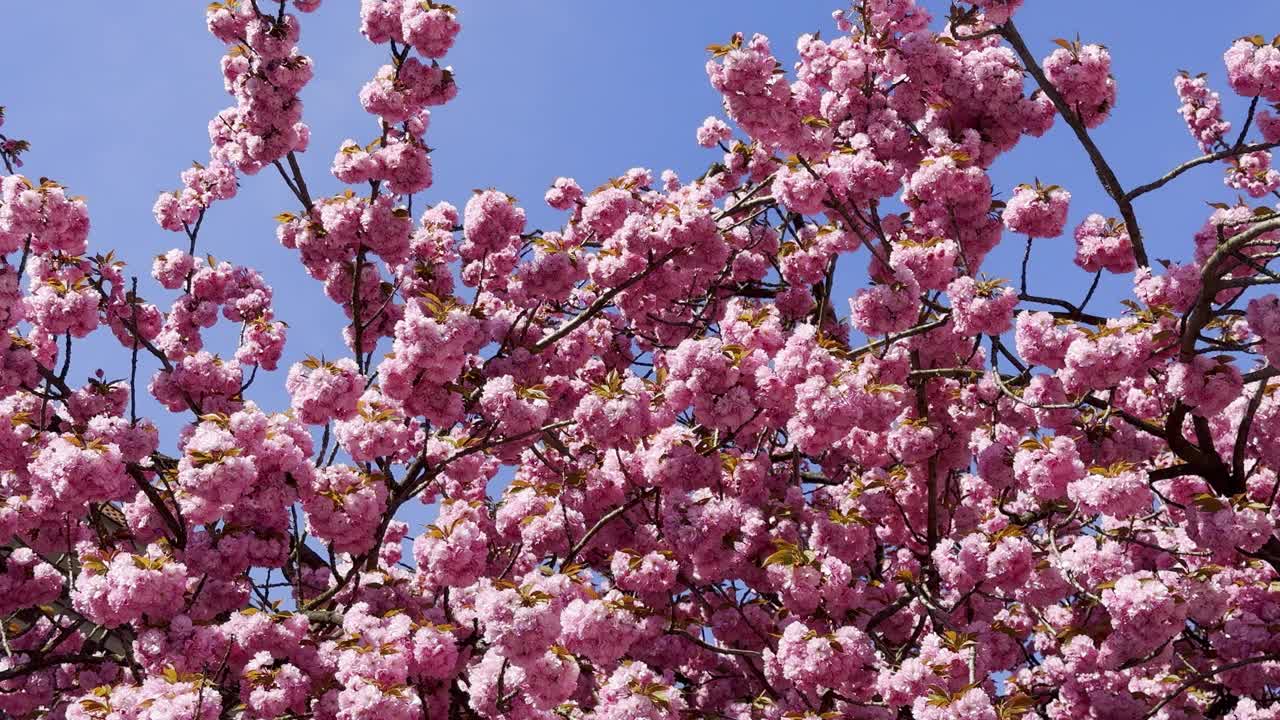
x,y
116,99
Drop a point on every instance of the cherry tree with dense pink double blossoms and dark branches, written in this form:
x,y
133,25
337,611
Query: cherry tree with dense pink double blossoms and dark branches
x,y
673,477
